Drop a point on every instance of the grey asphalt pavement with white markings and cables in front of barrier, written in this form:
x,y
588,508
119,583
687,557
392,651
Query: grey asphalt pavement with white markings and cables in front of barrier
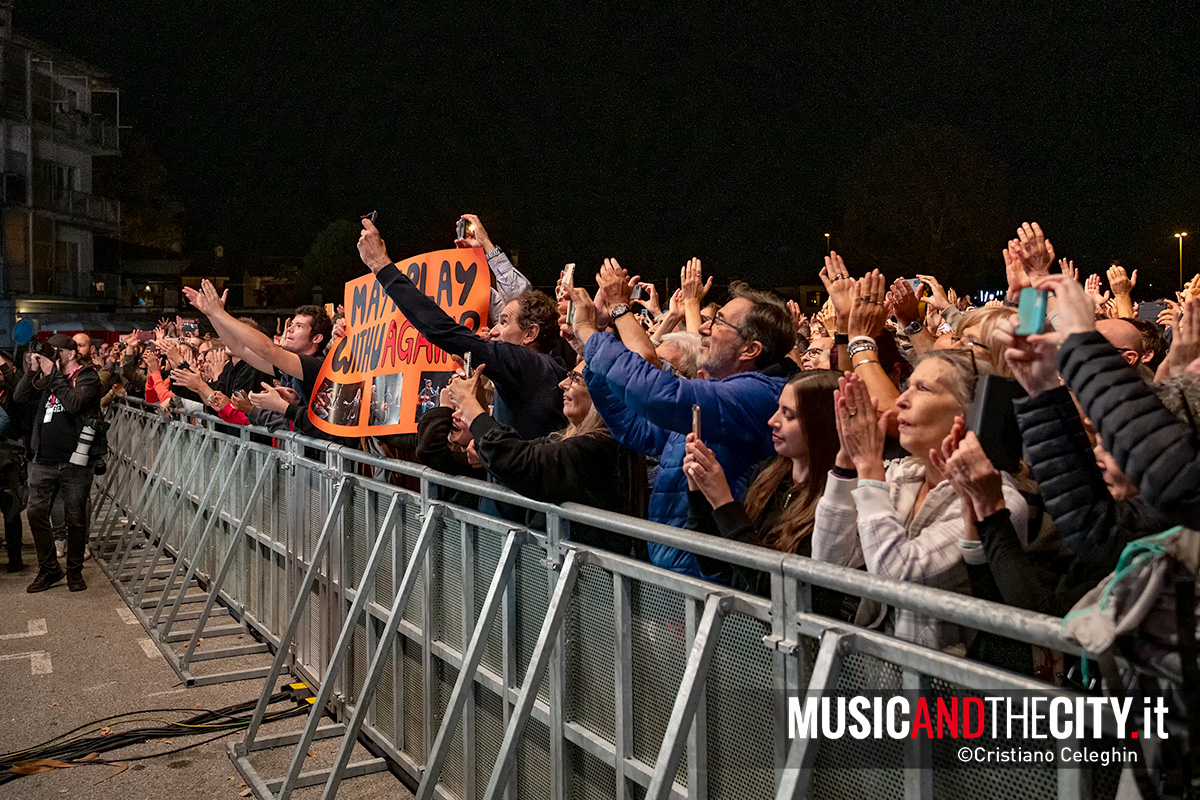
x,y
71,659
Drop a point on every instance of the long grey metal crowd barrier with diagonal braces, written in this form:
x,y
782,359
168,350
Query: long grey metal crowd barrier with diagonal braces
x,y
482,659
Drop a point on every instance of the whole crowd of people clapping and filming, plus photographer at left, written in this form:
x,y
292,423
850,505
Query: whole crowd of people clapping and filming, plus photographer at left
x,y
842,436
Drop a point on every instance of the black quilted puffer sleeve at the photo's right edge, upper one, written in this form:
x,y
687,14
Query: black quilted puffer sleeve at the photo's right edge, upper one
x,y
1157,452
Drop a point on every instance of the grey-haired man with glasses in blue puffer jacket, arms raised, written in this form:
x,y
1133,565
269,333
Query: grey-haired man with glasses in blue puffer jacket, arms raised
x,y
742,354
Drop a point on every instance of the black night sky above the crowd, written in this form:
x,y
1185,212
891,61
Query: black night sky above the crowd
x,y
651,135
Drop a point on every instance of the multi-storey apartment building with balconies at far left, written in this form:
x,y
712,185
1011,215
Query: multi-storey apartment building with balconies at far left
x,y
57,116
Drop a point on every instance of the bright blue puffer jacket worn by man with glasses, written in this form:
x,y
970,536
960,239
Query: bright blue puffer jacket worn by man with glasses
x,y
650,412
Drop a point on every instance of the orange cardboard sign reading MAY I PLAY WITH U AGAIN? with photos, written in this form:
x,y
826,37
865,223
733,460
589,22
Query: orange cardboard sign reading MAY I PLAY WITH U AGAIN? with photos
x,y
383,375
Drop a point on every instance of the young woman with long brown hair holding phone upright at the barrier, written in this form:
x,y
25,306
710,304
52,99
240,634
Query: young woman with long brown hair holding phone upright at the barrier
x,y
779,508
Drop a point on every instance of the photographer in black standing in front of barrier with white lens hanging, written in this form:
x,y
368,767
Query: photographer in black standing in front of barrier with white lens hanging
x,y
68,394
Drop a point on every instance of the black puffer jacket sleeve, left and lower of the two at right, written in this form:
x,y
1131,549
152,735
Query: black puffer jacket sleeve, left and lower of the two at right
x,y
1094,526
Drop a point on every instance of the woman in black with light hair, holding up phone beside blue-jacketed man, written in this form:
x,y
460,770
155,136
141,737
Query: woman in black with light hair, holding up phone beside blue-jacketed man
x,y
581,464
